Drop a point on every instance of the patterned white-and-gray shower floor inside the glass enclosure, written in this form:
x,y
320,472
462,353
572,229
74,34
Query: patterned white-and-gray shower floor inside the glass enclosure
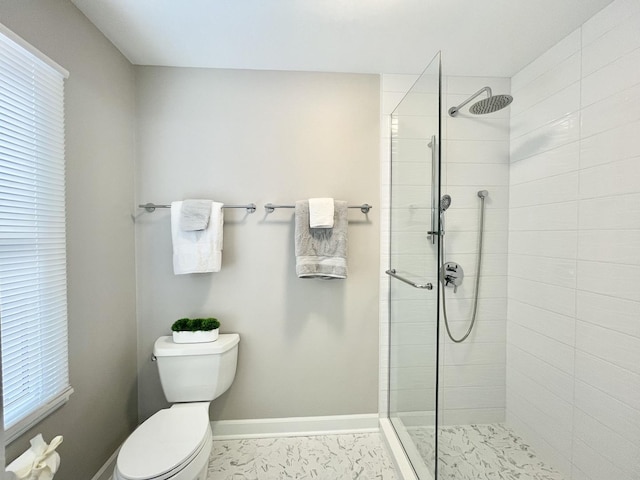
x,y
482,452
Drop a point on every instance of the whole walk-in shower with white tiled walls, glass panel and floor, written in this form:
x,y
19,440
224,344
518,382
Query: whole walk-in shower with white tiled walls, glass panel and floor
x,y
547,384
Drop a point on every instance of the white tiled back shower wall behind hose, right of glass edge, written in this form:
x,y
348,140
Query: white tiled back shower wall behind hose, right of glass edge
x,y
475,156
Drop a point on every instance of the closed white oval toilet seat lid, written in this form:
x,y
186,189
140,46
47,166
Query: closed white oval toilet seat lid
x,y
165,443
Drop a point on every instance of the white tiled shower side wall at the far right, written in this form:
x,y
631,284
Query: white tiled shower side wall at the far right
x,y
573,342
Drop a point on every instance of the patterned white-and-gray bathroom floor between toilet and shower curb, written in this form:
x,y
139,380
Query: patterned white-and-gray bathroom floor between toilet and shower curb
x,y
324,457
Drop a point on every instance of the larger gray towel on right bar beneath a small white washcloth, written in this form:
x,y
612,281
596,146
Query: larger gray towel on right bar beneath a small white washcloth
x,y
321,252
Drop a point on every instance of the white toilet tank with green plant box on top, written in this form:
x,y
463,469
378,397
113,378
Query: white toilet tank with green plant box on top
x,y
196,372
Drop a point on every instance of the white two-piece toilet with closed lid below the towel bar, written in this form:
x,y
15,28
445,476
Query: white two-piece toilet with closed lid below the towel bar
x,y
175,442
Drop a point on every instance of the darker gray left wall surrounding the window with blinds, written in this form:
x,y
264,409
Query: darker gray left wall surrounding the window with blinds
x,y
101,275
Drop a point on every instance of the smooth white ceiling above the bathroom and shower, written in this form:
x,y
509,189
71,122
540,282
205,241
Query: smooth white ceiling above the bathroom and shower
x,y
477,37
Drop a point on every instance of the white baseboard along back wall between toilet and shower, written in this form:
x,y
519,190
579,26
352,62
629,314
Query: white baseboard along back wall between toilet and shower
x,y
294,426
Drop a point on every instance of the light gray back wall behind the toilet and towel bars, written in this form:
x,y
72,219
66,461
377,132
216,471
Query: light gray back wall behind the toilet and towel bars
x,y
308,347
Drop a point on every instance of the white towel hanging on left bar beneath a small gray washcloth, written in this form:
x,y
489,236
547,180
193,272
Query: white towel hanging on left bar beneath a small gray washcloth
x,y
197,251
